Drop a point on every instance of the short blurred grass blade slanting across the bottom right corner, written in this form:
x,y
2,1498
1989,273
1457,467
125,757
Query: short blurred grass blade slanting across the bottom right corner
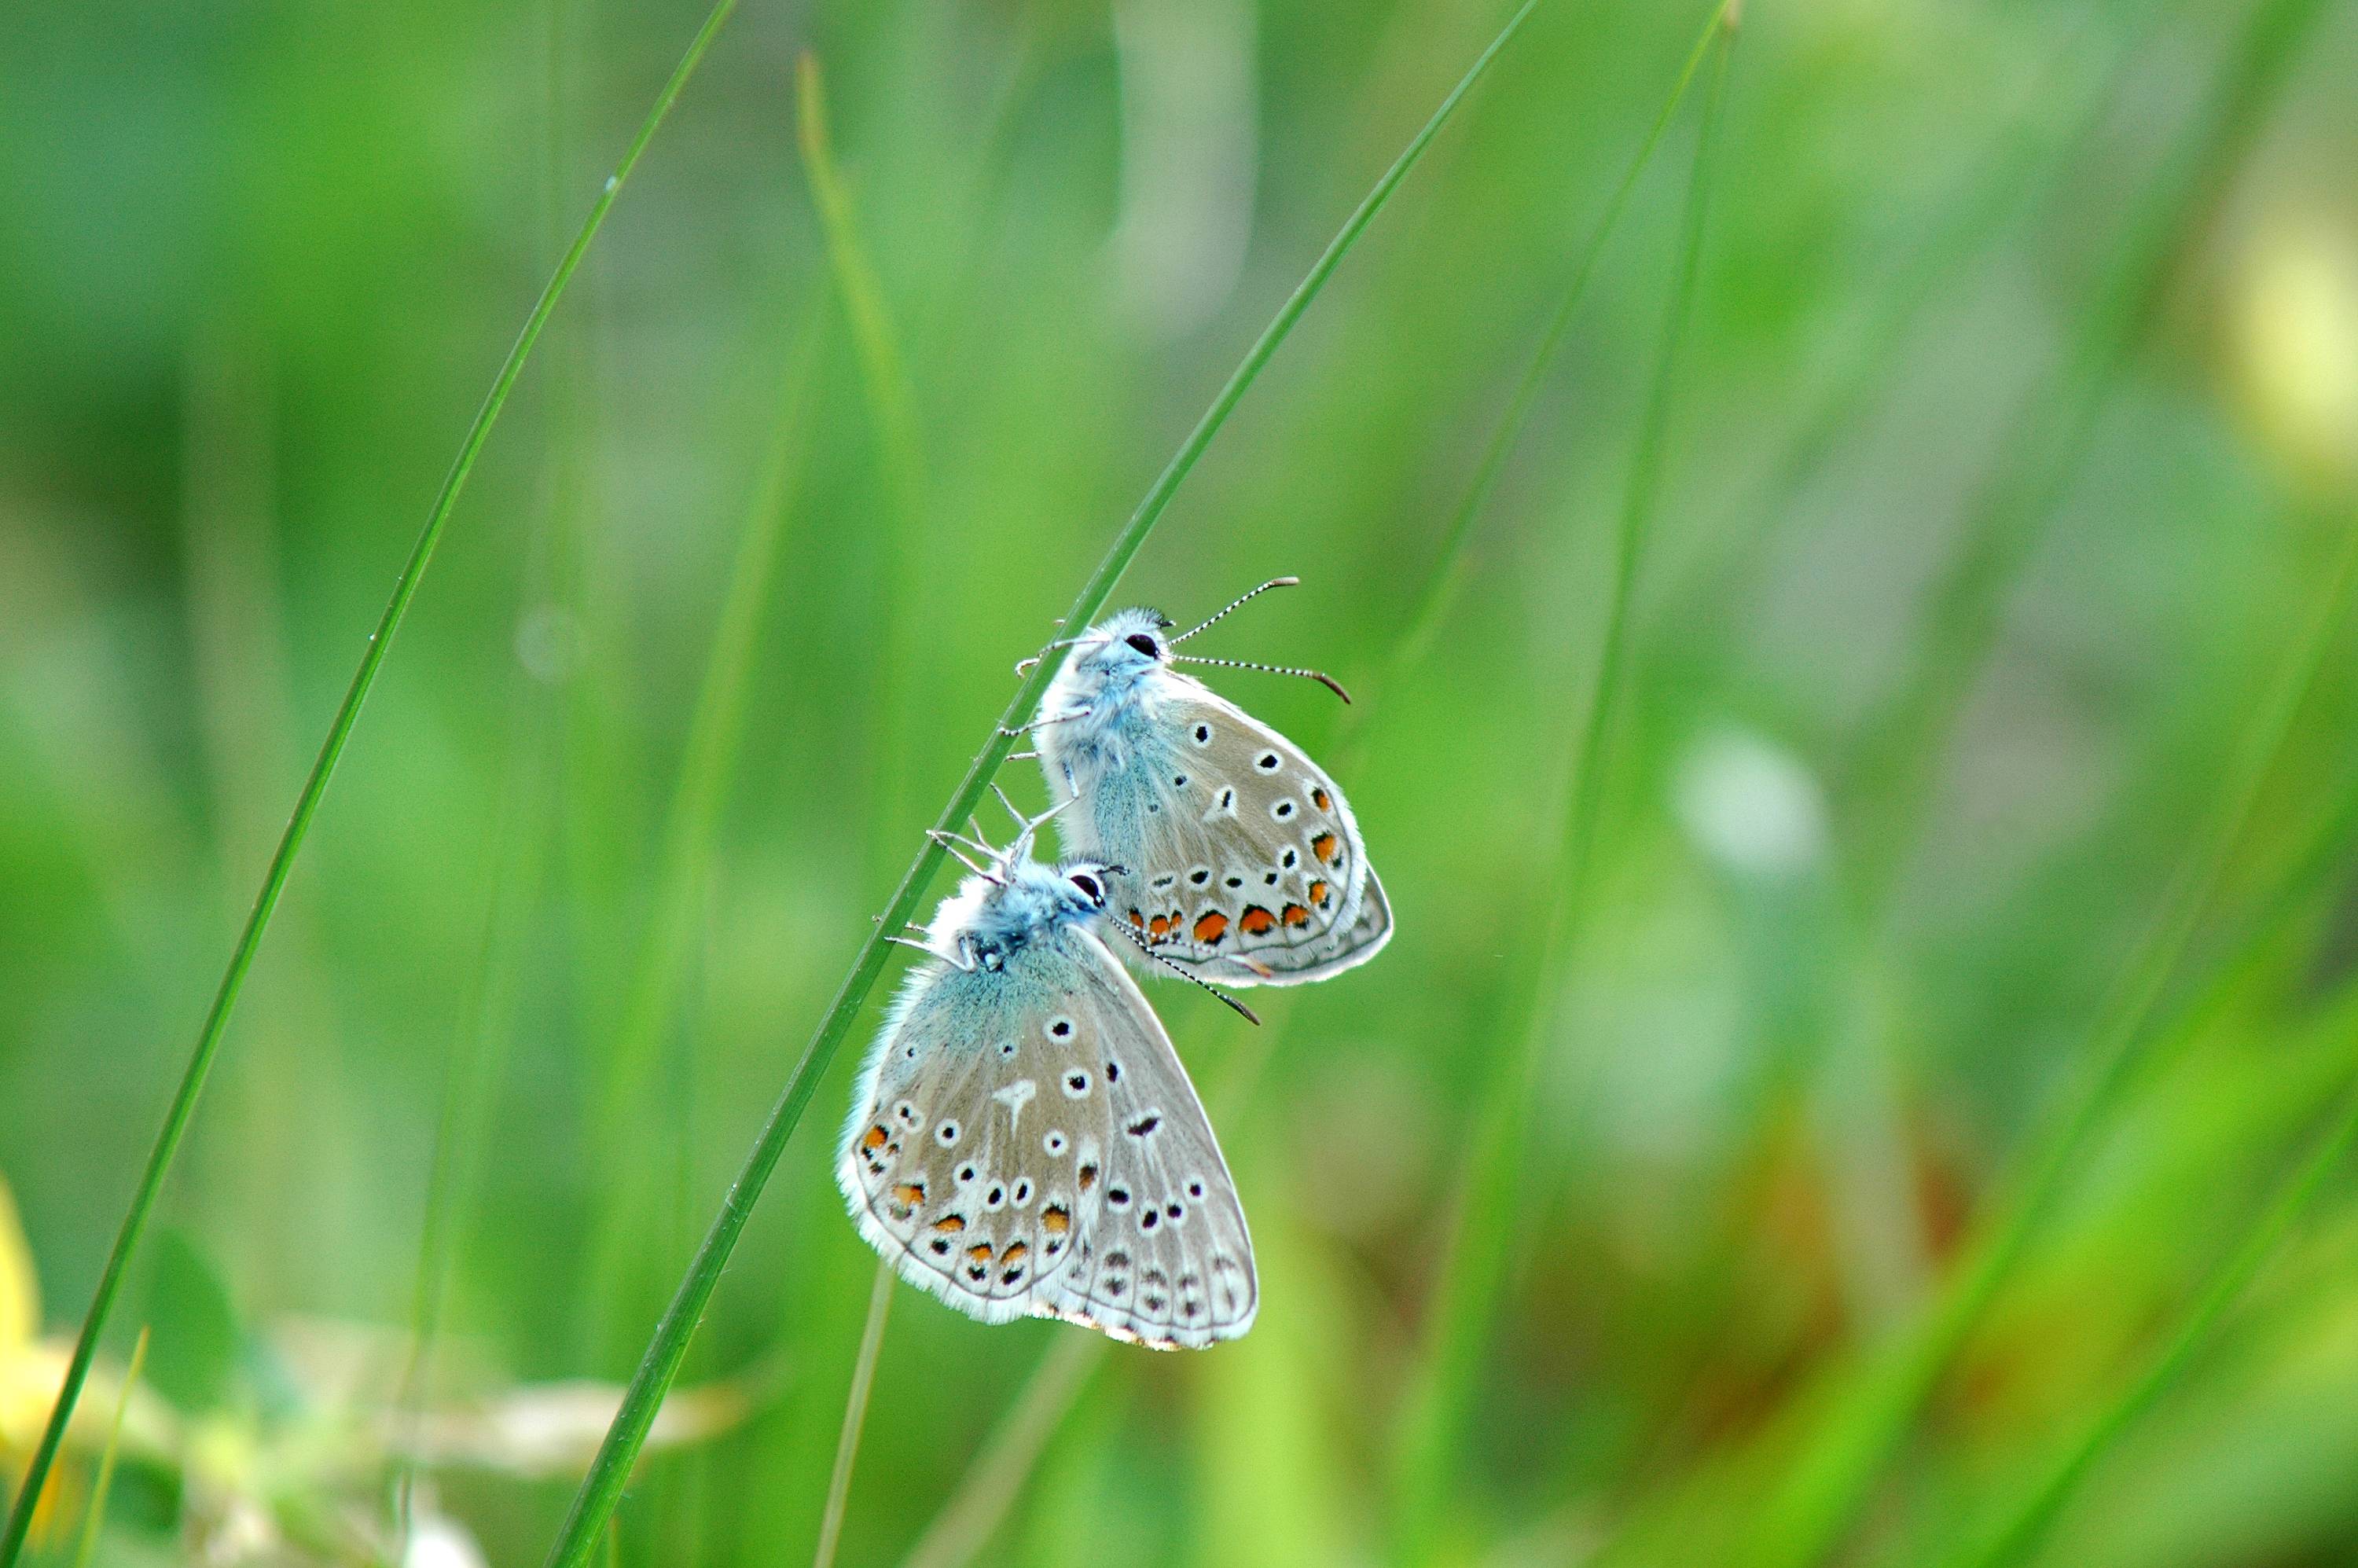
x,y
2027,1529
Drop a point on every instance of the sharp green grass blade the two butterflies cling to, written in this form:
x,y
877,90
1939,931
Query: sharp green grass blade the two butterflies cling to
x,y
659,1366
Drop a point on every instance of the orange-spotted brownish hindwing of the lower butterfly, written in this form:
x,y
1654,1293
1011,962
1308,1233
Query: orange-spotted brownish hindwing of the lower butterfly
x,y
970,1161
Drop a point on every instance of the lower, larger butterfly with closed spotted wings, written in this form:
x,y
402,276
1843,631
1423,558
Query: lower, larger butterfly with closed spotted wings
x,y
1025,1140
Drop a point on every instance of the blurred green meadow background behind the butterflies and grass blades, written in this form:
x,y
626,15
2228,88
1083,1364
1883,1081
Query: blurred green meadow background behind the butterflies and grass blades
x,y
2010,461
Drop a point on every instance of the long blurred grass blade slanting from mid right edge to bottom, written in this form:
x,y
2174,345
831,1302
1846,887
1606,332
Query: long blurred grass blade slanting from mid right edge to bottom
x,y
1819,1501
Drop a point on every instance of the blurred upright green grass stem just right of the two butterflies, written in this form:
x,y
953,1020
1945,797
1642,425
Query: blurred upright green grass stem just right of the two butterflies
x,y
1437,1411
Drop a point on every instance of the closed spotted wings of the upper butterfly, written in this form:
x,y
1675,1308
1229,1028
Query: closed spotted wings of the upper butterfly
x,y
1244,859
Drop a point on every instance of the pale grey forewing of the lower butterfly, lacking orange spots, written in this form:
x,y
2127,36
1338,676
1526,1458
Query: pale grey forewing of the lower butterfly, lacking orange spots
x,y
1164,1256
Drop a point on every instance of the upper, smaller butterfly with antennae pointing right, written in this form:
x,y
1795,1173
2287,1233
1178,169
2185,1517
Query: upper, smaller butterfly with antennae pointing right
x,y
1244,862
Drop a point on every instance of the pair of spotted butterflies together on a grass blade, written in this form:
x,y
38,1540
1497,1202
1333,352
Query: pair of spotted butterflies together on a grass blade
x,y
1025,1140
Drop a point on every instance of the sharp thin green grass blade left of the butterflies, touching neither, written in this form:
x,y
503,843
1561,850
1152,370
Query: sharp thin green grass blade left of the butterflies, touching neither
x,y
331,751
